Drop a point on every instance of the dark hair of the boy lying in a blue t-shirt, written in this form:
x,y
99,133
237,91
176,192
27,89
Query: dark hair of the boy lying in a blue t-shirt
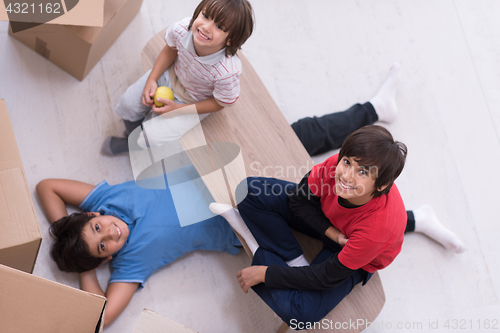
x,y
69,250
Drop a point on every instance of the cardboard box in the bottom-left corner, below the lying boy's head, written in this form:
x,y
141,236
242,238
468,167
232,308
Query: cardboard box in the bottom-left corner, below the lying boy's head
x,y
30,303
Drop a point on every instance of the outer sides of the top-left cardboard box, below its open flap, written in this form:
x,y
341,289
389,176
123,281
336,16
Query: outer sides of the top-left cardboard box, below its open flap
x,y
77,49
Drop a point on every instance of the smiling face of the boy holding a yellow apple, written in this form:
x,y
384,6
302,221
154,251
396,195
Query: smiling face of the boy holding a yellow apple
x,y
208,37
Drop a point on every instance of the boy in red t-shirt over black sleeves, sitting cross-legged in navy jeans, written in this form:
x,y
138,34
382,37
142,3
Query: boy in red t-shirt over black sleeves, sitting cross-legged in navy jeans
x,y
349,202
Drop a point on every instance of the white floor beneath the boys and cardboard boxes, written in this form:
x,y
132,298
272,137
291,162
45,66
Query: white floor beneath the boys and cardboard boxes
x,y
315,57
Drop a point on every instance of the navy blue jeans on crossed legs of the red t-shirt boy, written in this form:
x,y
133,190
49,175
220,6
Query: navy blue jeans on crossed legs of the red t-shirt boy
x,y
265,211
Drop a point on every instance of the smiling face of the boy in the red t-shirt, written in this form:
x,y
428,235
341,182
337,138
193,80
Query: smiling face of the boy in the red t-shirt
x,y
355,183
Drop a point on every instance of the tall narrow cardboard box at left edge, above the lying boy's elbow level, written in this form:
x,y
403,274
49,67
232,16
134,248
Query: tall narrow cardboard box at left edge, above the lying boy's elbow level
x,y
20,236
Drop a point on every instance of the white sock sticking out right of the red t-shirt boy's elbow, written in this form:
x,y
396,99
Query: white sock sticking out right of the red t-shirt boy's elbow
x,y
426,222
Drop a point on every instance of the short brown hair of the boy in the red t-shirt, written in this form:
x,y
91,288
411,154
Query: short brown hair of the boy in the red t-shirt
x,y
374,146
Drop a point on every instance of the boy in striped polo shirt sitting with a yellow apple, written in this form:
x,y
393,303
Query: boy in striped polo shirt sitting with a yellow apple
x,y
199,63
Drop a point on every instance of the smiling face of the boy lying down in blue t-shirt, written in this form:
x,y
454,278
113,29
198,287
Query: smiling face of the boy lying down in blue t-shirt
x,y
105,235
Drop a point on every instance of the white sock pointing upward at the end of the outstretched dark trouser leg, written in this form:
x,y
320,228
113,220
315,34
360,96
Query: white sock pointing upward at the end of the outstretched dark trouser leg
x,y
384,101
